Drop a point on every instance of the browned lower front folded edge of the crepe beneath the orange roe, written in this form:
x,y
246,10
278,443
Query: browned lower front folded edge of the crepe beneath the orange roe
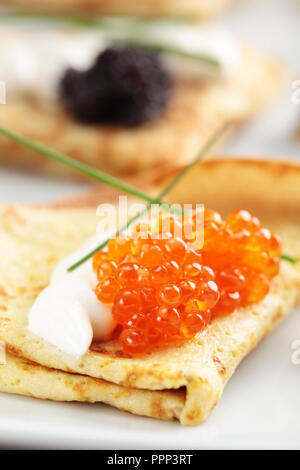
x,y
23,377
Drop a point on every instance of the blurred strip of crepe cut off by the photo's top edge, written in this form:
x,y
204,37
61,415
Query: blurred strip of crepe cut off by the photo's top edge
x,y
199,8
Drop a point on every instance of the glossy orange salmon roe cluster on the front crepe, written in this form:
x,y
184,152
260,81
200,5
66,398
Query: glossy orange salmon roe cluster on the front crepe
x,y
164,290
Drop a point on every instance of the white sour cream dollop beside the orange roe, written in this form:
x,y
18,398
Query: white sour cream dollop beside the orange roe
x,y
67,313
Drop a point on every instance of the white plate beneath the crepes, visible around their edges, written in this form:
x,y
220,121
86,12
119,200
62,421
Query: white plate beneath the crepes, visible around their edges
x,y
260,407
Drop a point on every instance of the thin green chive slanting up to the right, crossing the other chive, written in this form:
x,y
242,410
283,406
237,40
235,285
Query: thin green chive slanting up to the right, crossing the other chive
x,y
200,155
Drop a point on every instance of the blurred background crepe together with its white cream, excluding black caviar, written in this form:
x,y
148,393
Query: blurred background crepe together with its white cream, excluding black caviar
x,y
244,82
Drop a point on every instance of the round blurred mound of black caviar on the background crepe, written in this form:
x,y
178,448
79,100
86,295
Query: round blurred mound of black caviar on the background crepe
x,y
126,86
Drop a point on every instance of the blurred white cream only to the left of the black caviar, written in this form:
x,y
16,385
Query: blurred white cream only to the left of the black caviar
x,y
32,62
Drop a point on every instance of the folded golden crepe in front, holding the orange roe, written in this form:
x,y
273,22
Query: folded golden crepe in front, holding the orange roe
x,y
183,382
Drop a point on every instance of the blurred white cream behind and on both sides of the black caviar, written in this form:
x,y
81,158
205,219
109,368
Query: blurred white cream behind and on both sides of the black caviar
x,y
32,61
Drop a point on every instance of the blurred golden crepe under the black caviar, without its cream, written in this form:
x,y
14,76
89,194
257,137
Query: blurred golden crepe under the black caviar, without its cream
x,y
195,111
